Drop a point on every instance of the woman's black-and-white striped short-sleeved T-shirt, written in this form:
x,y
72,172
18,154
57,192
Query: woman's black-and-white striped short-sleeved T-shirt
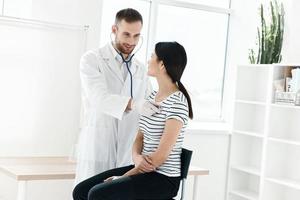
x,y
152,127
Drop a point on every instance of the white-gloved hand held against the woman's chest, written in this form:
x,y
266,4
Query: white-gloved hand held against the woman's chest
x,y
145,107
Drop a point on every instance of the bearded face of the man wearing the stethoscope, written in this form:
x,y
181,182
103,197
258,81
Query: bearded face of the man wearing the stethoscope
x,y
127,35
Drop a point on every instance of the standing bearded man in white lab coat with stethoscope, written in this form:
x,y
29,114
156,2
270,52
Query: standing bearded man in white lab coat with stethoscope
x,y
112,90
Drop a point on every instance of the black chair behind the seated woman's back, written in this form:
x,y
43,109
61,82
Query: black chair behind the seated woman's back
x,y
186,156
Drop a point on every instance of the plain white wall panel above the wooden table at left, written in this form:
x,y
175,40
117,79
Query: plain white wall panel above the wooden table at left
x,y
39,89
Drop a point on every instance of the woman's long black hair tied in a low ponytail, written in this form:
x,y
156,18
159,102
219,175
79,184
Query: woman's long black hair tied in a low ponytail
x,y
173,55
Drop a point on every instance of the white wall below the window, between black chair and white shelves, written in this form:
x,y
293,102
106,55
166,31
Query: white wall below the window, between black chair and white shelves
x,y
210,151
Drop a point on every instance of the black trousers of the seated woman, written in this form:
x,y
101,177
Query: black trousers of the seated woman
x,y
147,186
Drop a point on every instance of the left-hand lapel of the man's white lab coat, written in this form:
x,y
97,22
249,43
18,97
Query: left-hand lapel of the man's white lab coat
x,y
111,62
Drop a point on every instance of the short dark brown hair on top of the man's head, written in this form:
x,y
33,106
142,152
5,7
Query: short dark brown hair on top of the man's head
x,y
129,15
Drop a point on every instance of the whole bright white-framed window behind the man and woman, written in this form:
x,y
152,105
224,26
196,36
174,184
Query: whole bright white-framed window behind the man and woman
x,y
201,27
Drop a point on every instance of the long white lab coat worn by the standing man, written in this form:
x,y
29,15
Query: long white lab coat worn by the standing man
x,y
107,134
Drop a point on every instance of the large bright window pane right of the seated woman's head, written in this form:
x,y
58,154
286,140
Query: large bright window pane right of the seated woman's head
x,y
204,40
